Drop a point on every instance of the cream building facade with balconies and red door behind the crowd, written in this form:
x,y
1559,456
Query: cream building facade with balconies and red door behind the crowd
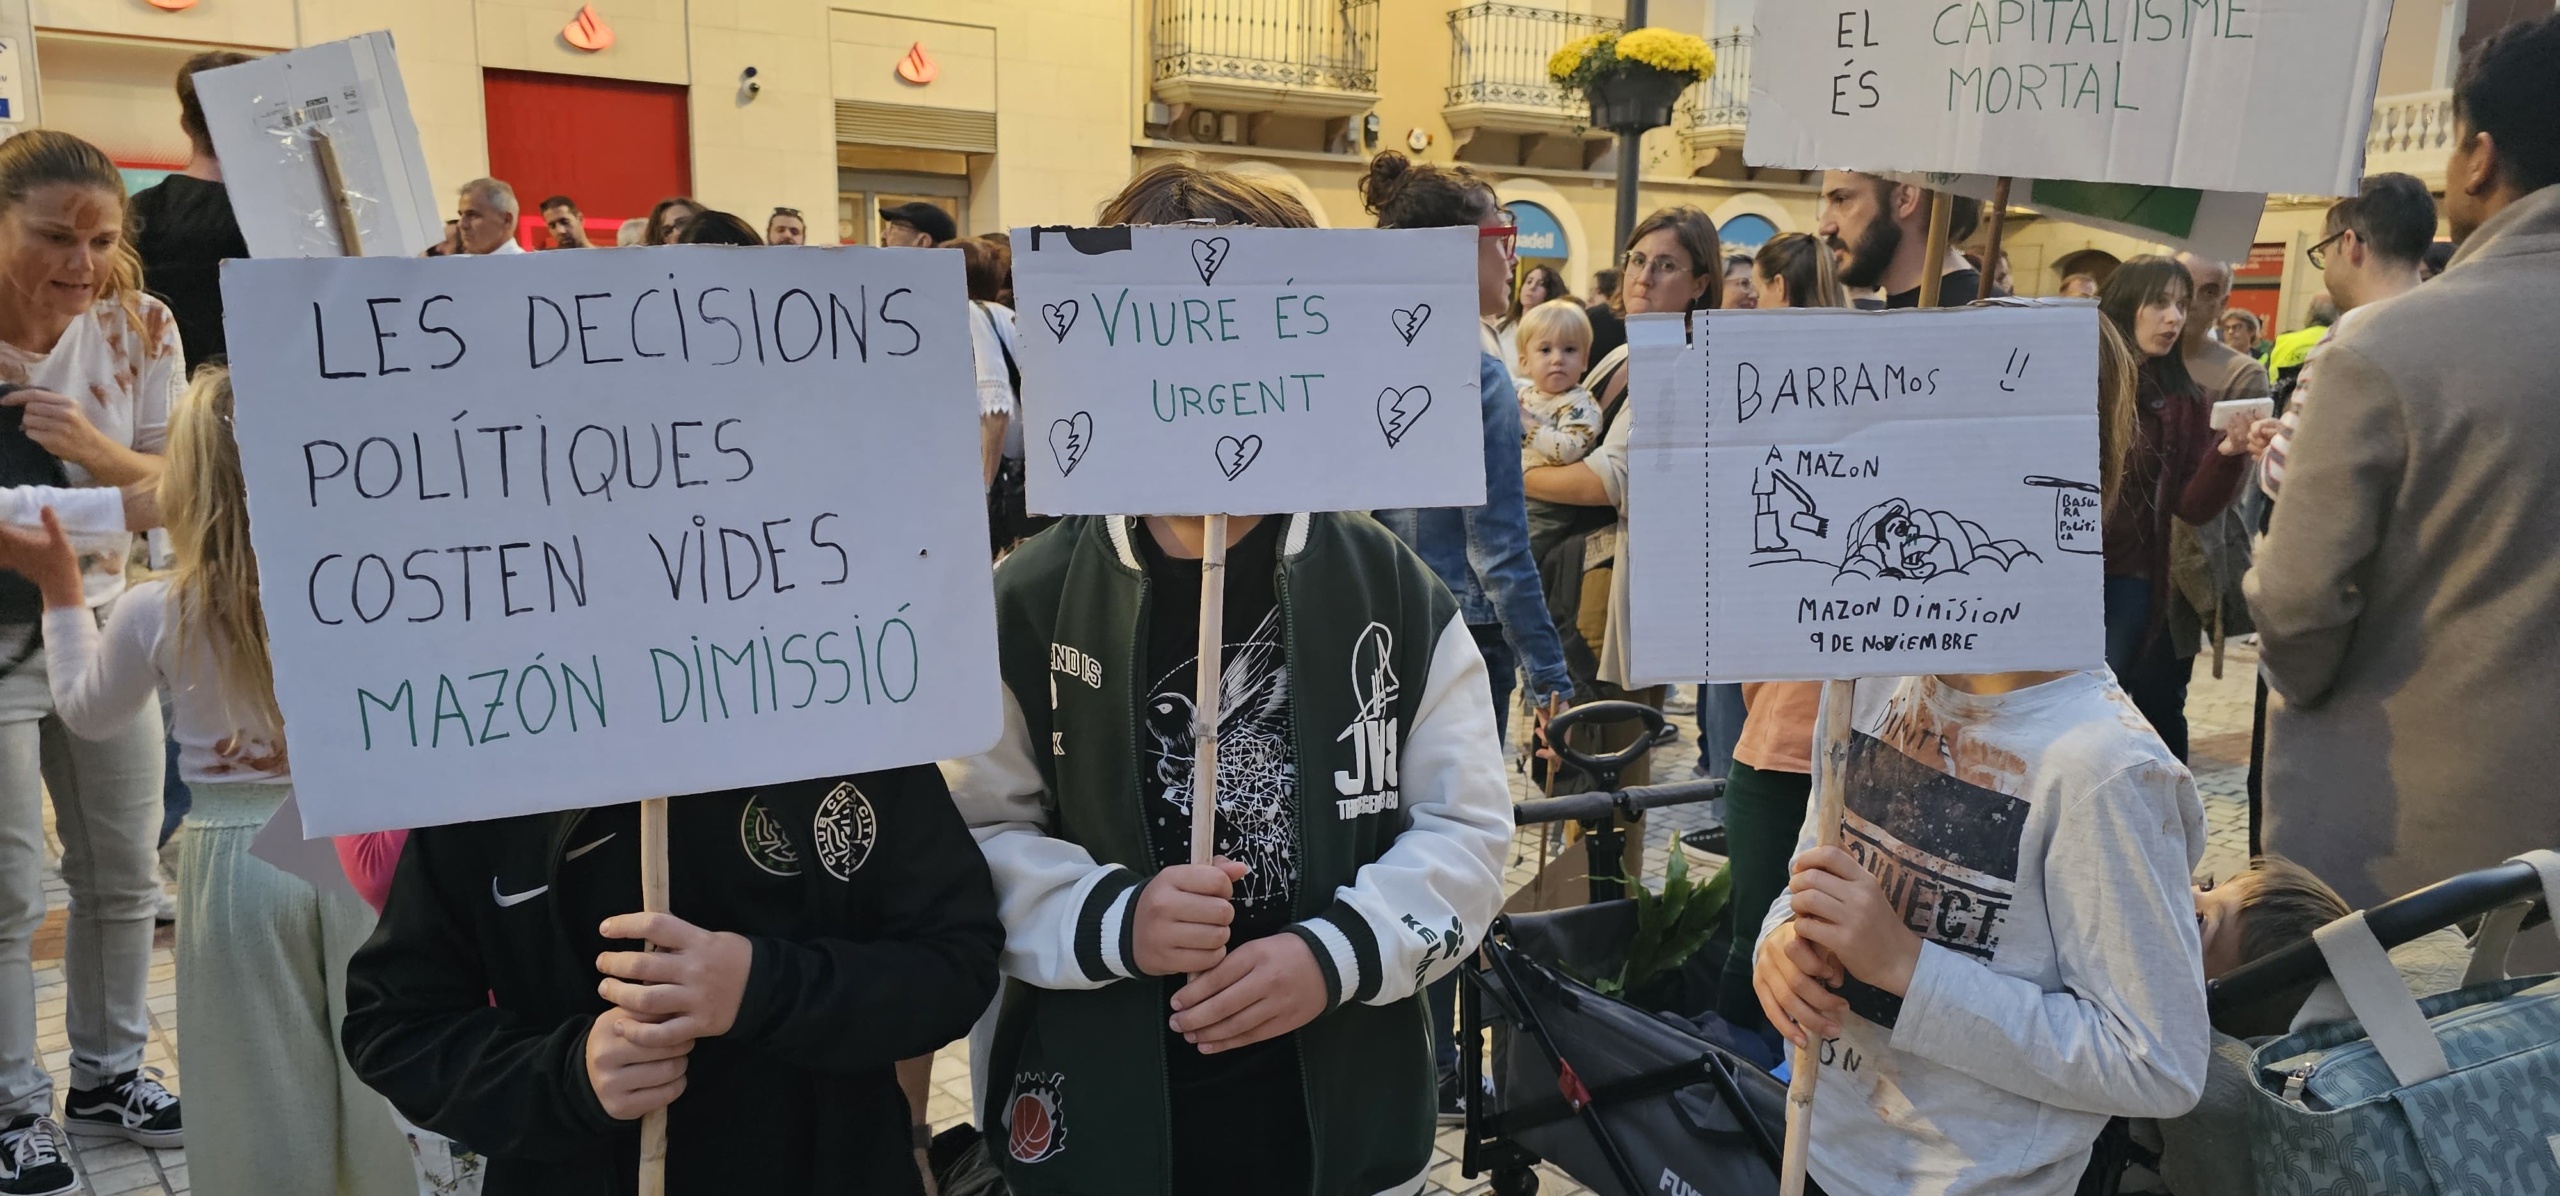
x,y
1033,111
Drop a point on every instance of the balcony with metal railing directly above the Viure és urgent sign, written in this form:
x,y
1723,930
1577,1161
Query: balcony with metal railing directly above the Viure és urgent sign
x,y
1294,58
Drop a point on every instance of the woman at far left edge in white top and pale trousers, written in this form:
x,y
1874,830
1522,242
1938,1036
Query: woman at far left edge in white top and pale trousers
x,y
99,362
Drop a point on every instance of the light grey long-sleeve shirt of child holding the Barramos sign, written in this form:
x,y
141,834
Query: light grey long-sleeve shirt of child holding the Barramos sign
x,y
2042,844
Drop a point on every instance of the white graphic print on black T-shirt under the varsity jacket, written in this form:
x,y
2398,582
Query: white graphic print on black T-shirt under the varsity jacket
x,y
1258,772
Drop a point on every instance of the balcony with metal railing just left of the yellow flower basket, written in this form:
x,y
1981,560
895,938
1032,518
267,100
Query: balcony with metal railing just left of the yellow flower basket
x,y
1499,70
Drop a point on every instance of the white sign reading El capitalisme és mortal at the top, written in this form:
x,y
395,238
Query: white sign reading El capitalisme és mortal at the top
x,y
2228,96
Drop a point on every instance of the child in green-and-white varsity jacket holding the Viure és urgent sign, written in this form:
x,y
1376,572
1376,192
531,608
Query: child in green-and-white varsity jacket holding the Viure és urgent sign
x,y
1248,1026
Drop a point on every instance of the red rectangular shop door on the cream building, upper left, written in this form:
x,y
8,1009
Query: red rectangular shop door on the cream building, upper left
x,y
616,147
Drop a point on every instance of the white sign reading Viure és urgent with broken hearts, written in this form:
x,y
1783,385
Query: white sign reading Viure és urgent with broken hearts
x,y
1251,370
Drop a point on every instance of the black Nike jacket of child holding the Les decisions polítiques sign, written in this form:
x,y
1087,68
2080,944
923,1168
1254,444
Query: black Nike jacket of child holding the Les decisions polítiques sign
x,y
874,933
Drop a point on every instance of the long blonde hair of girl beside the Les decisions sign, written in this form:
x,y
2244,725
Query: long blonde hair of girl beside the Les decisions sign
x,y
214,590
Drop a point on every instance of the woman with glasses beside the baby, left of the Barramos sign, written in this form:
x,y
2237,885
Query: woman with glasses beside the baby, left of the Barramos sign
x,y
1673,265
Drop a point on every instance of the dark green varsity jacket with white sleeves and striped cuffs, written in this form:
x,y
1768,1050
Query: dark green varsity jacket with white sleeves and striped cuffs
x,y
1404,818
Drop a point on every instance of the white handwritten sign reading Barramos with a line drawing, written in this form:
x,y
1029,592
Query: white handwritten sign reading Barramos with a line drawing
x,y
1832,496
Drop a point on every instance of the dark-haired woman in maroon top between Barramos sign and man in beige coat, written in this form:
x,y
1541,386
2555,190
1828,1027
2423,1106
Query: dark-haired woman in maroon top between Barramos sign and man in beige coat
x,y
2177,467
